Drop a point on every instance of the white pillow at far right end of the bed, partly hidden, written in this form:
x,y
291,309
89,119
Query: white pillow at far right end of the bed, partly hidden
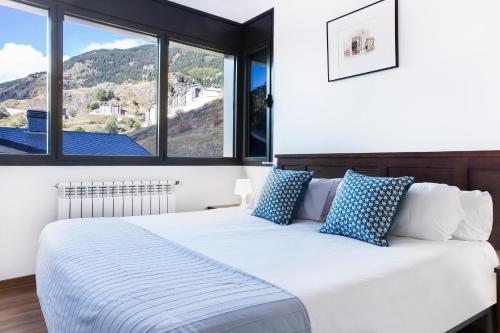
x,y
478,221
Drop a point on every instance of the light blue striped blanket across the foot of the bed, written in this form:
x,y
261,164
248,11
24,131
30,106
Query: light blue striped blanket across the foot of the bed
x,y
112,276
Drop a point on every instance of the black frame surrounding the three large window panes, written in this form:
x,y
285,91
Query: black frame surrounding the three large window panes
x,y
56,12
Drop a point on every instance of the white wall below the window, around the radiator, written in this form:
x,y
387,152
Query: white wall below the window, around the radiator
x,y
28,201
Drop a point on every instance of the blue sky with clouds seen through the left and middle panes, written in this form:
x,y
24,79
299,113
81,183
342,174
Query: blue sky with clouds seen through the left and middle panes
x,y
23,42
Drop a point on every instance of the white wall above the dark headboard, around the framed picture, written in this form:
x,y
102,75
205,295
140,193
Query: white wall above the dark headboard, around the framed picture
x,y
444,96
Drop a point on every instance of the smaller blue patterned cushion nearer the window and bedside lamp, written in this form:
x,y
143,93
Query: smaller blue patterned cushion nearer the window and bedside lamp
x,y
282,194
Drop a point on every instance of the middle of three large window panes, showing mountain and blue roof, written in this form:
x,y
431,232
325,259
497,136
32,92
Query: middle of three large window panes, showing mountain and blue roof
x,y
110,91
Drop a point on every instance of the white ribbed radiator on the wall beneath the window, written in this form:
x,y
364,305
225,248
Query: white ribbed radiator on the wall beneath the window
x,y
116,198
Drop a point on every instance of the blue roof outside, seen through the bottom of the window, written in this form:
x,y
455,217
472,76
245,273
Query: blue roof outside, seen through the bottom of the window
x,y
74,143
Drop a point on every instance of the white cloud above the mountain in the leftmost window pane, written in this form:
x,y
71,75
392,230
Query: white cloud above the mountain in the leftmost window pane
x,y
19,60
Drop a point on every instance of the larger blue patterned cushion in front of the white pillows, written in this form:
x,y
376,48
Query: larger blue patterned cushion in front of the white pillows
x,y
364,207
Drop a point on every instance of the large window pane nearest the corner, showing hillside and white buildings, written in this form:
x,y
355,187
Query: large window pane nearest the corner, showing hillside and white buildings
x,y
201,103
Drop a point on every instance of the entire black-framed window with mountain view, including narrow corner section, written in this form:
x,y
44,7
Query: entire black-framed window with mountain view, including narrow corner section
x,y
83,86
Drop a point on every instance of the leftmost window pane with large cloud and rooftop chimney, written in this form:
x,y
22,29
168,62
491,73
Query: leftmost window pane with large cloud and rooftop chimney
x,y
23,79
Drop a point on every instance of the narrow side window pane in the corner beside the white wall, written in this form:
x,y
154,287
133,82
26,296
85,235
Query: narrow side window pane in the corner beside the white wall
x,y
259,103
